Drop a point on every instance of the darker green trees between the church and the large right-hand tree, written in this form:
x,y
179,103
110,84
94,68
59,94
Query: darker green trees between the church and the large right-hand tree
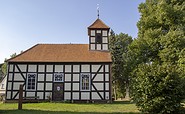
x,y
120,67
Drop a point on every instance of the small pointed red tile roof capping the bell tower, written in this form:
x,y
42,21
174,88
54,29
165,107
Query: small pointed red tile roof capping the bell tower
x,y
98,24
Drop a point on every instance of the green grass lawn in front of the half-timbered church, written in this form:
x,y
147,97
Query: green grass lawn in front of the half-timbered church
x,y
67,108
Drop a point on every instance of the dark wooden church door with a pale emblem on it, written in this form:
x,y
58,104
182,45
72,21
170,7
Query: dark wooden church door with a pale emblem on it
x,y
58,92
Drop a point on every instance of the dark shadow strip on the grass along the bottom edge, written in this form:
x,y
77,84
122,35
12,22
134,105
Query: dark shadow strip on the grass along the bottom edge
x,y
25,111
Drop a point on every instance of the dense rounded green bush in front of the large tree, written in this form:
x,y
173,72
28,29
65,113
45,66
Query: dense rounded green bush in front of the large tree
x,y
158,89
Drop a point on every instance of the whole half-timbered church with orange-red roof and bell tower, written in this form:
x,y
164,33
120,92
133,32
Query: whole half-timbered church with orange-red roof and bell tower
x,y
64,72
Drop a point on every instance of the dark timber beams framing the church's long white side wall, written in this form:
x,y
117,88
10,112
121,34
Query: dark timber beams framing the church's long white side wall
x,y
93,88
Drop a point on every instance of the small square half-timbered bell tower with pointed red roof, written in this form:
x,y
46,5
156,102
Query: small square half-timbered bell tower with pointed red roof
x,y
98,36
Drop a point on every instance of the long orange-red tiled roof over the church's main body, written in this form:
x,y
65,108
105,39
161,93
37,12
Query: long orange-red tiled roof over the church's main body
x,y
62,53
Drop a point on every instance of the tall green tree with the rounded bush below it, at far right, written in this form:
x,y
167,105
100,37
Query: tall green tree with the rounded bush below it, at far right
x,y
159,52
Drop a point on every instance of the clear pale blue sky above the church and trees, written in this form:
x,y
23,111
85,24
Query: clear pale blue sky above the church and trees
x,y
24,23
